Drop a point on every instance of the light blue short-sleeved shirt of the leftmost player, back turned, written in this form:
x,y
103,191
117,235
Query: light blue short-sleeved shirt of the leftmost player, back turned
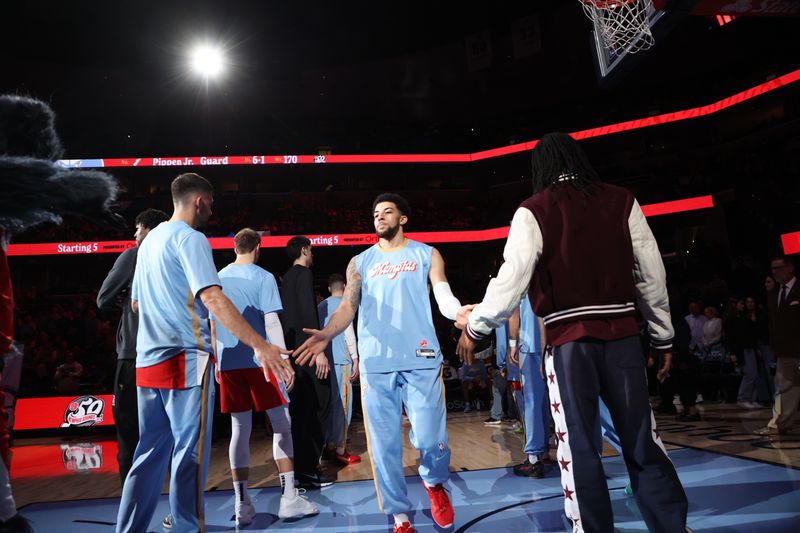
x,y
173,265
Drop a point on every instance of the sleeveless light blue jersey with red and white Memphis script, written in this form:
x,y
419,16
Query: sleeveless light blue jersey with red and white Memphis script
x,y
395,326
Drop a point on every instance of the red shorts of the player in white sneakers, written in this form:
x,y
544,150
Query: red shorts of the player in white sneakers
x,y
246,388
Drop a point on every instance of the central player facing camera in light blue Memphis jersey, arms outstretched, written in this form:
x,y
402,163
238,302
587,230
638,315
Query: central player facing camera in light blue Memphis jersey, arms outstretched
x,y
400,358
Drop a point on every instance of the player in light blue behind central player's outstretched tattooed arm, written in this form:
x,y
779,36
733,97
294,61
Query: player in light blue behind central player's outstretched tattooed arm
x,y
343,355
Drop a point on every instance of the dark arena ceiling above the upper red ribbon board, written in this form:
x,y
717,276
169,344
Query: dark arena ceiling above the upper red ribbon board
x,y
358,76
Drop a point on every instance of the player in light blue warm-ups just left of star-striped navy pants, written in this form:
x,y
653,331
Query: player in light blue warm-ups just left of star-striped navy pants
x,y
526,328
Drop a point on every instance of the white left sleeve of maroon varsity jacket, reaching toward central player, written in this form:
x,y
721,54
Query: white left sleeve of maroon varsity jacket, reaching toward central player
x,y
521,253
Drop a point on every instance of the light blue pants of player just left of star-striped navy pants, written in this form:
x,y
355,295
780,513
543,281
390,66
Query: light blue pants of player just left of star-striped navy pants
x,y
536,410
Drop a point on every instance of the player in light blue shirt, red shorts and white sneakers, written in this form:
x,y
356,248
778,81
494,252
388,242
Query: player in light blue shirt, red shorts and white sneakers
x,y
241,380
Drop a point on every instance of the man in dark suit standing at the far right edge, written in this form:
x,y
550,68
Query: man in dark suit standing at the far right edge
x,y
783,305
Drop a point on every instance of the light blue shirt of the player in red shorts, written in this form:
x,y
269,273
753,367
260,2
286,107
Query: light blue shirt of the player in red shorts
x,y
254,292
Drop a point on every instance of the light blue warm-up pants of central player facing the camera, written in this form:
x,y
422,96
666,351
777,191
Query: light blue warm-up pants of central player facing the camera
x,y
383,396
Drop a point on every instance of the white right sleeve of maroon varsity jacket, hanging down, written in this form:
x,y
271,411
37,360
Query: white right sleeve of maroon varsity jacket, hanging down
x,y
651,280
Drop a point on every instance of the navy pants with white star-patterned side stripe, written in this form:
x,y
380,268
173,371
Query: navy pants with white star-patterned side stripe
x,y
577,374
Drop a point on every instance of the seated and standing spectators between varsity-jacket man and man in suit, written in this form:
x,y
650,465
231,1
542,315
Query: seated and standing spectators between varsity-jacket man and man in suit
x,y
721,346
